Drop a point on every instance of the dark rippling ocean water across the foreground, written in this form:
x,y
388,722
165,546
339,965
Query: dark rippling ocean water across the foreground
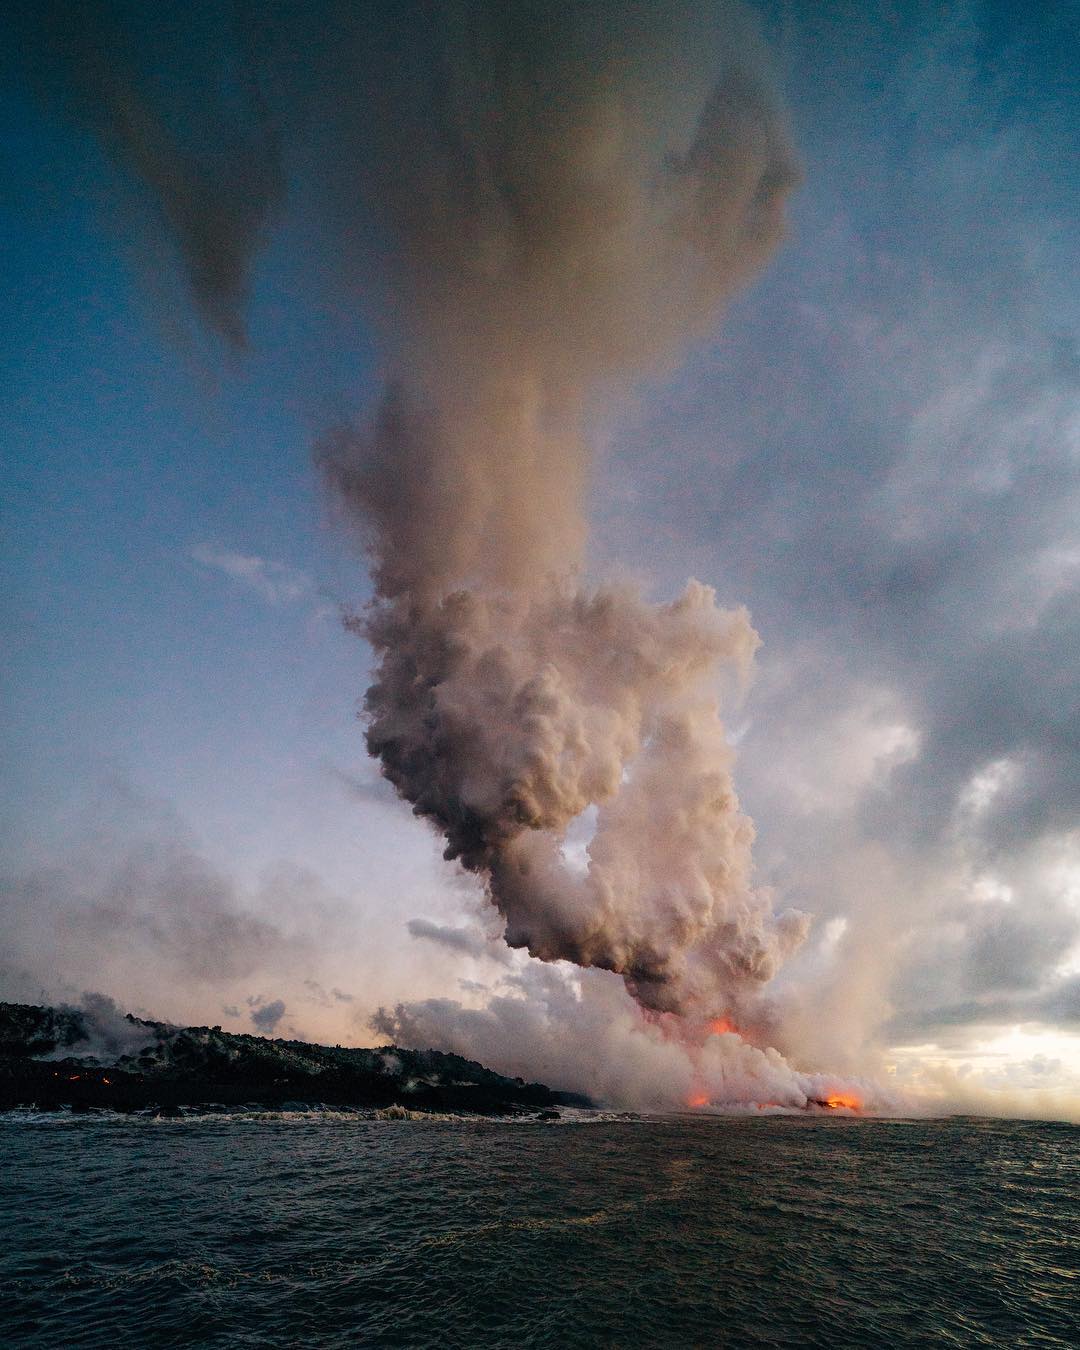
x,y
703,1232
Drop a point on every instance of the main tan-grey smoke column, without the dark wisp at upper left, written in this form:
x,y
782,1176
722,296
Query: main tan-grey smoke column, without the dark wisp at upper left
x,y
583,190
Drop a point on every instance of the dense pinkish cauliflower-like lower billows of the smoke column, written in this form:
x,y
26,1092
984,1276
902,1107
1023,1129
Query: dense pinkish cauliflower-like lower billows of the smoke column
x,y
504,718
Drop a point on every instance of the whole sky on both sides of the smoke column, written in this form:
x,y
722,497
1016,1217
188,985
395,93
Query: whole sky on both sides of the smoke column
x,y
877,450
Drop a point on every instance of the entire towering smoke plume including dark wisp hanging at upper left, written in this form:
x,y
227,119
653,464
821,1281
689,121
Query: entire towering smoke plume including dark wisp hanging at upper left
x,y
535,205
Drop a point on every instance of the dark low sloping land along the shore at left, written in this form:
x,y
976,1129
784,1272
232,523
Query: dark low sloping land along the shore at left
x,y
53,1058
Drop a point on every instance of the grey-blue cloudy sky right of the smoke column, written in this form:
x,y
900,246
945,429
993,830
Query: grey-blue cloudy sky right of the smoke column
x,y
884,460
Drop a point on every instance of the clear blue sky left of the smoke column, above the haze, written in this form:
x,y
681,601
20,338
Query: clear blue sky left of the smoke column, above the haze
x,y
128,454
